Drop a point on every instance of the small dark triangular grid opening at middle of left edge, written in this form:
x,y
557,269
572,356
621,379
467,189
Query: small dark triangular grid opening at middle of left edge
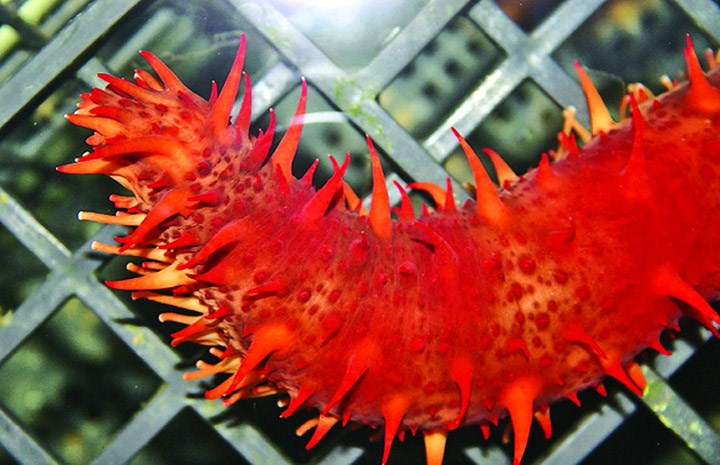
x,y
27,274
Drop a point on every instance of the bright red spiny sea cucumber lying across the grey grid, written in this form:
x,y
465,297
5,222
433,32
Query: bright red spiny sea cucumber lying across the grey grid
x,y
458,316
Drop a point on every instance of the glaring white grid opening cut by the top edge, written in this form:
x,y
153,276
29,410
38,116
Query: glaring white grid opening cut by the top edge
x,y
351,33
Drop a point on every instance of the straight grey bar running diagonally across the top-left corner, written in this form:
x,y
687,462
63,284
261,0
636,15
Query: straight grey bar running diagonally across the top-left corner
x,y
58,55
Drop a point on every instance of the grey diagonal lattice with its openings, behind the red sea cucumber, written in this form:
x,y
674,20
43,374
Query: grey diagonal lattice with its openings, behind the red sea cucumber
x,y
87,377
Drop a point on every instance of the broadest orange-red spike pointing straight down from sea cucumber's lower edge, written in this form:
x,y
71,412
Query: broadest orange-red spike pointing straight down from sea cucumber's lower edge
x,y
518,397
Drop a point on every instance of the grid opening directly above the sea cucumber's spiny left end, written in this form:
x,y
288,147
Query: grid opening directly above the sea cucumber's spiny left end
x,y
197,40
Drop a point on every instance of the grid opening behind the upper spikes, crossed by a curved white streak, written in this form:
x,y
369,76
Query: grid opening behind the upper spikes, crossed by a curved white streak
x,y
326,131
